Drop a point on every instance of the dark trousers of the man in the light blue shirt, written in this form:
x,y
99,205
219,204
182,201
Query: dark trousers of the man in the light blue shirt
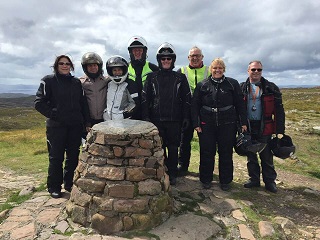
x,y
267,167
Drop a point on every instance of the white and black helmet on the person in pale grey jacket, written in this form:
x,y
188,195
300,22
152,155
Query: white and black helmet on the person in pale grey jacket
x,y
117,61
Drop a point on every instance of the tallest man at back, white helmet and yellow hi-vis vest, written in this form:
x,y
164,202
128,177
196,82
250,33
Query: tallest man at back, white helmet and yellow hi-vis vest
x,y
139,67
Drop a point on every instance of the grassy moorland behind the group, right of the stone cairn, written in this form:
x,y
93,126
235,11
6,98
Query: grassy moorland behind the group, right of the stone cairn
x,y
302,108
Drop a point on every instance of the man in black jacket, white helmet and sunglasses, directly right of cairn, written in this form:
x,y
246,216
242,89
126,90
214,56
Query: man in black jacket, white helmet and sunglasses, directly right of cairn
x,y
166,103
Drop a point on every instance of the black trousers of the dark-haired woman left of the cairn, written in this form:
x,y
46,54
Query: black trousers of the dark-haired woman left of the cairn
x,y
63,144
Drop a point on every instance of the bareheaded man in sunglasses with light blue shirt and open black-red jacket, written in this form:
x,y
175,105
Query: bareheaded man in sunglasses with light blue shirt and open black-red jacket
x,y
266,116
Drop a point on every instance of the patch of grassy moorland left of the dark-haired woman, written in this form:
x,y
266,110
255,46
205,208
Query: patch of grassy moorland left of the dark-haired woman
x,y
23,149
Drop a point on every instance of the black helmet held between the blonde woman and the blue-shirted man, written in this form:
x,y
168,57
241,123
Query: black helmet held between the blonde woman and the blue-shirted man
x,y
244,145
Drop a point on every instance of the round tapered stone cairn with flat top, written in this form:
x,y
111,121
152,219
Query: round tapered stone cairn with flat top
x,y
120,182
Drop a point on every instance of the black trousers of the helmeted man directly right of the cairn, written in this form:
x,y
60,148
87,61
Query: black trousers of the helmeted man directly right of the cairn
x,y
170,133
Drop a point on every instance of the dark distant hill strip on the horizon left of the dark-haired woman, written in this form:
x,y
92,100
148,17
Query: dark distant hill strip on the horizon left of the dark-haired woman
x,y
11,102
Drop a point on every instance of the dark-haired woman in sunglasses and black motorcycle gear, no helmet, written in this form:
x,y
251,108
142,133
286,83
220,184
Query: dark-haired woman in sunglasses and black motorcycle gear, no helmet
x,y
61,99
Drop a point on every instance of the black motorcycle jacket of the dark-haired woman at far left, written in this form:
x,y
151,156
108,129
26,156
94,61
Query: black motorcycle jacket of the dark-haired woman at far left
x,y
61,99
